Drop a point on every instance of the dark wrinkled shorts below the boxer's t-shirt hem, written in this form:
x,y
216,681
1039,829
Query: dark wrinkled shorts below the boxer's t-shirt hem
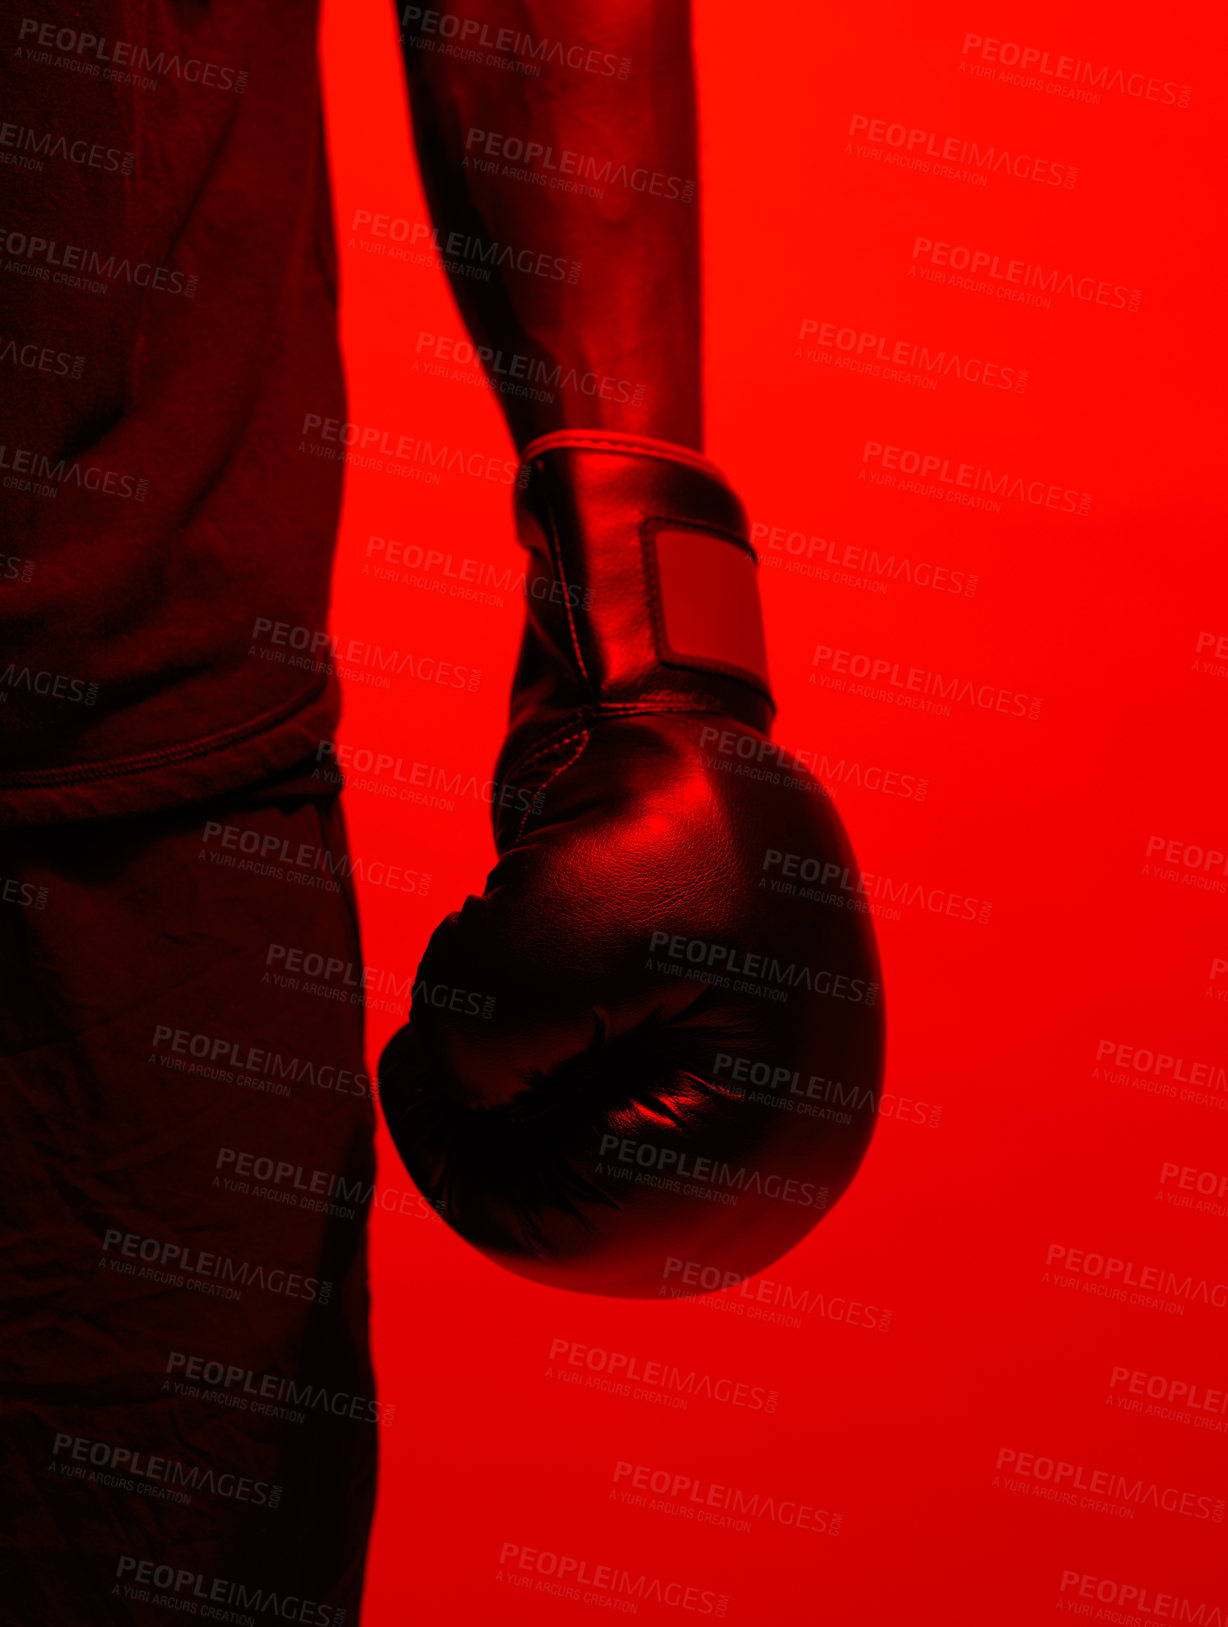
x,y
188,1398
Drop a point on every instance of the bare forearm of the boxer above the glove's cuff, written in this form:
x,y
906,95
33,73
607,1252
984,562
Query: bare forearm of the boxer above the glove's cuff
x,y
603,175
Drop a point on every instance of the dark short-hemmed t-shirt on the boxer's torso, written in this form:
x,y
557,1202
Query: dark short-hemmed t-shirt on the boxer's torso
x,y
168,355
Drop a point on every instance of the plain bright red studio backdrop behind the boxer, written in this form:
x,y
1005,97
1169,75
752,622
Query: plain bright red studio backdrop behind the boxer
x,y
991,1387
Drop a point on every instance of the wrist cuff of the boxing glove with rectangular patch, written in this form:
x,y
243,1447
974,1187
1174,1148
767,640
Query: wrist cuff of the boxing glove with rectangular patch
x,y
642,580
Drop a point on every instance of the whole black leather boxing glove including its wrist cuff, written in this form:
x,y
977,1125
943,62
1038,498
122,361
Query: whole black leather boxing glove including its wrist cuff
x,y
656,1045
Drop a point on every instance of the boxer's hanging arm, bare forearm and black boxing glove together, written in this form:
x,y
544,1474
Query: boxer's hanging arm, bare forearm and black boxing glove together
x,y
634,962
